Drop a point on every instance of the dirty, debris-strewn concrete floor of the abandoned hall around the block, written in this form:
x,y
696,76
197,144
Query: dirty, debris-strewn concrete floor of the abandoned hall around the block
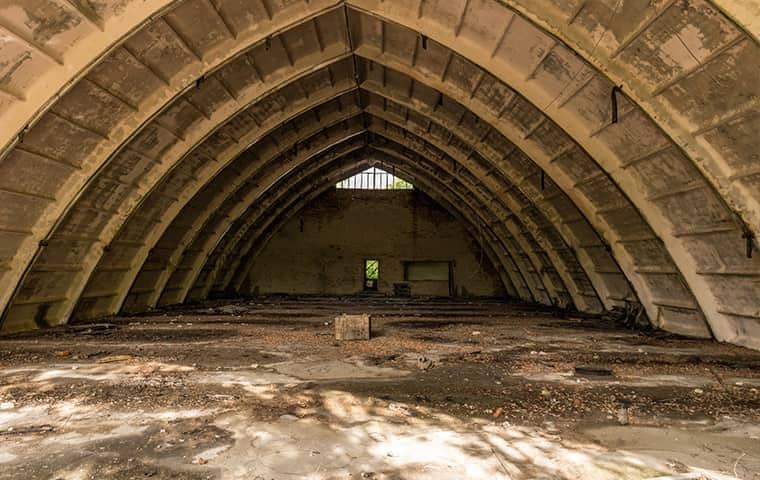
x,y
445,390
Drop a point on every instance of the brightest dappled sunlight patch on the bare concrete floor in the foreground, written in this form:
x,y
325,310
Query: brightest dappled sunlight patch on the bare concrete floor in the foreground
x,y
426,443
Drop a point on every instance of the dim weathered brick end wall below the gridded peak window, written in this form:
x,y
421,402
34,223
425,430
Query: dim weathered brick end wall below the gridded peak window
x,y
343,227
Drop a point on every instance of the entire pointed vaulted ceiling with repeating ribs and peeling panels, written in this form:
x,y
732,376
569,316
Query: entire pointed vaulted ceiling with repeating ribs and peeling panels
x,y
149,148
